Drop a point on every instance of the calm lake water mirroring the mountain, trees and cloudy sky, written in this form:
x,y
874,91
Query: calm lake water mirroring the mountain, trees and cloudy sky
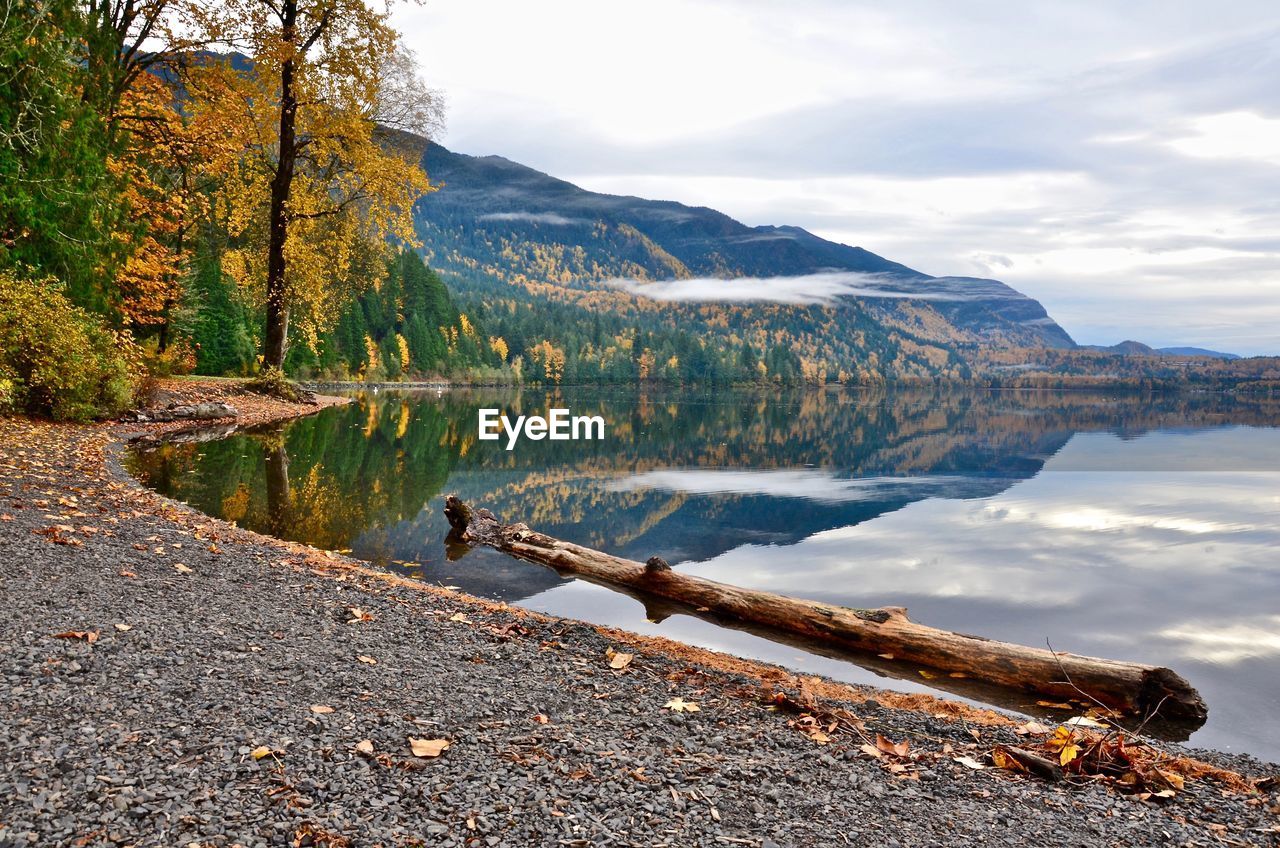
x,y
1121,527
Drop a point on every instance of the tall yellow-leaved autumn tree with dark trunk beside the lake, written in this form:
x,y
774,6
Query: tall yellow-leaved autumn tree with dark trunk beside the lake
x,y
328,181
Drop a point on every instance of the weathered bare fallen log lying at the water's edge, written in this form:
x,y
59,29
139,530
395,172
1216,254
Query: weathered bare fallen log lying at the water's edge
x,y
1130,689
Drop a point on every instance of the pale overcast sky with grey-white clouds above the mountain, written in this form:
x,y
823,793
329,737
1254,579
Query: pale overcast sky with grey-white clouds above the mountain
x,y
1121,163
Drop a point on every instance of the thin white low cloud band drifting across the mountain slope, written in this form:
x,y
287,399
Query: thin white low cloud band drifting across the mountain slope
x,y
822,288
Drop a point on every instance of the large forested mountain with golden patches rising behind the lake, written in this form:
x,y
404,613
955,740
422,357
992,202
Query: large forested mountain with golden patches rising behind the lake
x,y
538,259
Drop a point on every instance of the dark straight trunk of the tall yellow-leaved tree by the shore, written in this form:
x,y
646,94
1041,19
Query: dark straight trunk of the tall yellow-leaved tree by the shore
x,y
282,184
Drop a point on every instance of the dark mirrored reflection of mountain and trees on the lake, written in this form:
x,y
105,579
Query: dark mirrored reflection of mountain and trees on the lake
x,y
687,478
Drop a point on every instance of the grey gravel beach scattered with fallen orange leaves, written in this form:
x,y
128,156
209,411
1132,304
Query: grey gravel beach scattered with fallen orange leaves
x,y
167,680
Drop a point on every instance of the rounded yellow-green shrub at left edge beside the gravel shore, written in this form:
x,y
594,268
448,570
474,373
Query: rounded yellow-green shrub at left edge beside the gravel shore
x,y
60,361
